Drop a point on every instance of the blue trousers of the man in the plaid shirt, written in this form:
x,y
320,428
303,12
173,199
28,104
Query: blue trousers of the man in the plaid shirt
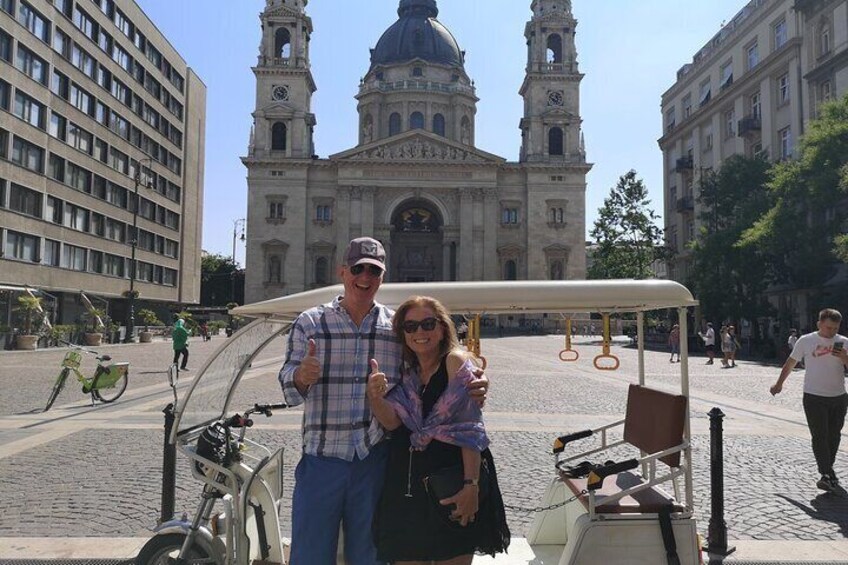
x,y
329,491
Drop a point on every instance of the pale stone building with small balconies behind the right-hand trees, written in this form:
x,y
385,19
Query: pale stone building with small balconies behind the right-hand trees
x,y
750,90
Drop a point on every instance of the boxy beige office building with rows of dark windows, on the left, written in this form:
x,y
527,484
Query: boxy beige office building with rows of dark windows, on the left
x,y
96,105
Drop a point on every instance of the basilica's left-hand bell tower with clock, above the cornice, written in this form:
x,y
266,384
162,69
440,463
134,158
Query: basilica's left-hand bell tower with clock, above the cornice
x,y
283,121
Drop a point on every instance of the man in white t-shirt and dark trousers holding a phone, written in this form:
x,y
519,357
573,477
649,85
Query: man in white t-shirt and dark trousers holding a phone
x,y
825,399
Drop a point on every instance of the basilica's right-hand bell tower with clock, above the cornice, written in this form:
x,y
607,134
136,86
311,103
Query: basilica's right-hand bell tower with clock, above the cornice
x,y
550,129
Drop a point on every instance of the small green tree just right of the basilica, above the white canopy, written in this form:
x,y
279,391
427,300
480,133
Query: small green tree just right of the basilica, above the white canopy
x,y
627,237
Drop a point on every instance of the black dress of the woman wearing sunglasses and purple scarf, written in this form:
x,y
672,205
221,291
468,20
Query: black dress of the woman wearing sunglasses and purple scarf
x,y
408,528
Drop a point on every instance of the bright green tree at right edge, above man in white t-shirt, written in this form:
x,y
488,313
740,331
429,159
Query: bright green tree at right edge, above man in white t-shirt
x,y
803,232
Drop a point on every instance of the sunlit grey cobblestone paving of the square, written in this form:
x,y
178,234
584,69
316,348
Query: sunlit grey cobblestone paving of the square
x,y
105,481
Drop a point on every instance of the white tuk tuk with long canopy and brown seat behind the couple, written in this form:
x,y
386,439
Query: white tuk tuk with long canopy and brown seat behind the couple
x,y
633,511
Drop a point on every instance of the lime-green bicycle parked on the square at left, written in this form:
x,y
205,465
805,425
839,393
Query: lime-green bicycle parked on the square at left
x,y
107,385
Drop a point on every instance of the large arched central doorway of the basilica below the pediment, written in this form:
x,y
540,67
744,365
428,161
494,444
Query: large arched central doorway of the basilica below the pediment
x,y
416,243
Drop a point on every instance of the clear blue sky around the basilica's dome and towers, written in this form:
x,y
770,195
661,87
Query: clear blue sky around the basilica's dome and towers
x,y
629,50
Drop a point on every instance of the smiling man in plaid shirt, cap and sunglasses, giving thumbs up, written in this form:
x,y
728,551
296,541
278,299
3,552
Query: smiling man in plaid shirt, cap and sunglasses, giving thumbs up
x,y
340,475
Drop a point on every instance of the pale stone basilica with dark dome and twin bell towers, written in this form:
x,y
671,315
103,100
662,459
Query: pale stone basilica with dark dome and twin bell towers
x,y
443,209
